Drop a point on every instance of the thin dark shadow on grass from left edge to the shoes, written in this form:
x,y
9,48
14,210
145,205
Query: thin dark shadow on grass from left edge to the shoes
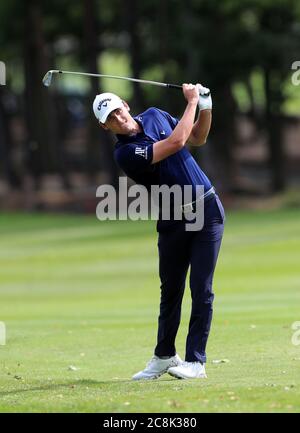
x,y
76,384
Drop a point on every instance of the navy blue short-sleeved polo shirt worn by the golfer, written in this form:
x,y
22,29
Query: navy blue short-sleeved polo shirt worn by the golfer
x,y
134,155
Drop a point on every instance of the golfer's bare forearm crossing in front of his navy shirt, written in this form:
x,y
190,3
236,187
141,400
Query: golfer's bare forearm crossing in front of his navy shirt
x,y
164,148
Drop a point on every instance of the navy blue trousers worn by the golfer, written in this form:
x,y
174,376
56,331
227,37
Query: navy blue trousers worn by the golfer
x,y
179,249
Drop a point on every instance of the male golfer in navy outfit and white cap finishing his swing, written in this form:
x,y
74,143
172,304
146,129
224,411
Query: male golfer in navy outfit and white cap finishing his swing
x,y
151,149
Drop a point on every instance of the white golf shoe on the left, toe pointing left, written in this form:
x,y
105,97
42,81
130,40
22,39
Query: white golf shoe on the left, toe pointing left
x,y
156,367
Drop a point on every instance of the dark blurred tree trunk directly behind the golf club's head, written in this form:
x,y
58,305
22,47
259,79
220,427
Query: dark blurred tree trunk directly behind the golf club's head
x,y
43,147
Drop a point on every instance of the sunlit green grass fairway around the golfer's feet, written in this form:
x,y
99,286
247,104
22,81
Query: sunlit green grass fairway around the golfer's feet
x,y
80,300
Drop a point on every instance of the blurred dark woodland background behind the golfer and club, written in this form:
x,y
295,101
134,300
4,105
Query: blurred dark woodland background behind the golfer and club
x,y
53,154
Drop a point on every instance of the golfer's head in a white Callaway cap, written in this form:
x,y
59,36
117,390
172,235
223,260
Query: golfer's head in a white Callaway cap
x,y
111,112
